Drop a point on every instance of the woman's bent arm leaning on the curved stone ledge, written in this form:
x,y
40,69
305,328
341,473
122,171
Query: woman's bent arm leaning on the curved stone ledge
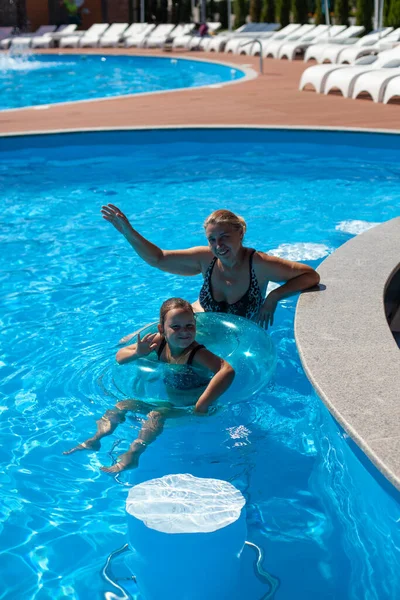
x,y
297,277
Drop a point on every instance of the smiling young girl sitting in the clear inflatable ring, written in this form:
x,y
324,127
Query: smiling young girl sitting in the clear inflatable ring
x,y
174,343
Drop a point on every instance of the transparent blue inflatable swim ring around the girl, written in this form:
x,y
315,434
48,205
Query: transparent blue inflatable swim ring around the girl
x,y
242,343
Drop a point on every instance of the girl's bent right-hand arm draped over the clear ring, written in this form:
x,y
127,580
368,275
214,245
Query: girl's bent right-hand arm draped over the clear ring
x,y
224,374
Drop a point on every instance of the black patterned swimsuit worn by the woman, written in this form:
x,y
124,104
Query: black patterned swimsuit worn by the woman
x,y
248,306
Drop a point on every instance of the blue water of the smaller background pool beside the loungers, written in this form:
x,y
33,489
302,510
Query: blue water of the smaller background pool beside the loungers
x,y
47,79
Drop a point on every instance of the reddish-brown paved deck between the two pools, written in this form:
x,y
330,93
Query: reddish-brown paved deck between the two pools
x,y
269,99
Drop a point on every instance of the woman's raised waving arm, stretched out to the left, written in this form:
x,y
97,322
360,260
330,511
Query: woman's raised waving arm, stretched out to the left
x,y
178,262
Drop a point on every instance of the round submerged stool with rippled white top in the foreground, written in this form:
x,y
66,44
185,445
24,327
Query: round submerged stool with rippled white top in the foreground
x,y
187,535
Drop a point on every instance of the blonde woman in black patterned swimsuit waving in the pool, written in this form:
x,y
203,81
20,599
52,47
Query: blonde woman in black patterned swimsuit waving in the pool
x,y
235,277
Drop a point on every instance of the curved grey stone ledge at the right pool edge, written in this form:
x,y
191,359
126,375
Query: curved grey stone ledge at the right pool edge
x,y
347,349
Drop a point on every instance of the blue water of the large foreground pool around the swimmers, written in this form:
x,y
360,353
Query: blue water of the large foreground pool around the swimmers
x,y
71,288
